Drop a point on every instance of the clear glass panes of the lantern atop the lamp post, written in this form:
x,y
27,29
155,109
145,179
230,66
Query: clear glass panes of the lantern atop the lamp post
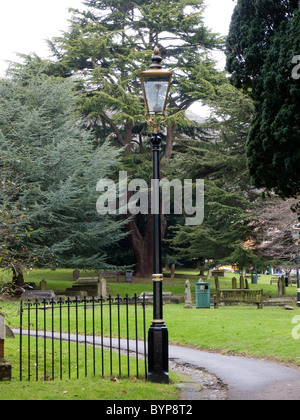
x,y
156,91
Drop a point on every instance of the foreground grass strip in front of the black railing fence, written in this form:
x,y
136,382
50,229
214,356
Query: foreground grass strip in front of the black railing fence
x,y
85,388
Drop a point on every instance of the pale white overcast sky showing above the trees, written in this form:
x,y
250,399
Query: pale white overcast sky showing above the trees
x,y
25,25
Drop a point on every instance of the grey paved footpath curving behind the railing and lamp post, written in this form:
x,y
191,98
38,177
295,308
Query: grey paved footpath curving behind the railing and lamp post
x,y
245,378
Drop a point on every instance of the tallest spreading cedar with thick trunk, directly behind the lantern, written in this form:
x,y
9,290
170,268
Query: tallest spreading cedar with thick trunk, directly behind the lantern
x,y
105,49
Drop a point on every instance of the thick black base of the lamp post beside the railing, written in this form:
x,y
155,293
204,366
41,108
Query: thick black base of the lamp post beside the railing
x,y
158,353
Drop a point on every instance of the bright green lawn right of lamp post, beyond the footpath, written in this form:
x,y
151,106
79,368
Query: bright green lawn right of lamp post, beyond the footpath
x,y
243,330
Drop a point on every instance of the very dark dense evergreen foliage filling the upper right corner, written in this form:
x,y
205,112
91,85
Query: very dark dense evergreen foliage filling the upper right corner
x,y
261,49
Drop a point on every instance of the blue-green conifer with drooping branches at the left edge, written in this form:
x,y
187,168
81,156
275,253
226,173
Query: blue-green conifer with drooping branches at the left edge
x,y
49,170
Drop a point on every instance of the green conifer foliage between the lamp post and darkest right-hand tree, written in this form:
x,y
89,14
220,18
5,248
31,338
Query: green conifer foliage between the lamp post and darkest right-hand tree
x,y
219,159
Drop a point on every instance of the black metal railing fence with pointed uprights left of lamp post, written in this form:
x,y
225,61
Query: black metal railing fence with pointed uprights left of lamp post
x,y
73,337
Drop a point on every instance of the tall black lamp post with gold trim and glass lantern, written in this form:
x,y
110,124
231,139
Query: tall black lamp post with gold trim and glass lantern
x,y
156,85
